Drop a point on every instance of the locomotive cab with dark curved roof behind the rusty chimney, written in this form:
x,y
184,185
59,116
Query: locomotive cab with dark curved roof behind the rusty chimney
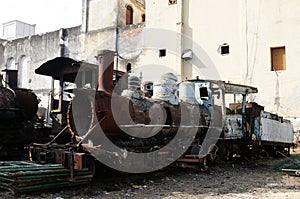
x,y
68,75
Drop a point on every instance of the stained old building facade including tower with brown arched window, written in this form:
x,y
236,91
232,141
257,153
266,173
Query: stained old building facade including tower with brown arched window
x,y
101,22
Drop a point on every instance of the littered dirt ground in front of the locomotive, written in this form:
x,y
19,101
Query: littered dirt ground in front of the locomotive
x,y
260,178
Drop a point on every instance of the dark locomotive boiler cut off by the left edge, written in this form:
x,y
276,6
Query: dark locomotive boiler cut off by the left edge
x,y
18,109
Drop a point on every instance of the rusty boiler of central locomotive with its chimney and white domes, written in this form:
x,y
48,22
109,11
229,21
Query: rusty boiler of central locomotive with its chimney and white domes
x,y
128,119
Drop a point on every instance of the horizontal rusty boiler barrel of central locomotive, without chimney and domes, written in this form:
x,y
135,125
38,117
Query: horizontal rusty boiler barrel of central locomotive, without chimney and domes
x,y
119,114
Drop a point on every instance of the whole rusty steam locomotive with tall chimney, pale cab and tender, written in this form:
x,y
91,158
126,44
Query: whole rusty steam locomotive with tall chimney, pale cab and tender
x,y
146,120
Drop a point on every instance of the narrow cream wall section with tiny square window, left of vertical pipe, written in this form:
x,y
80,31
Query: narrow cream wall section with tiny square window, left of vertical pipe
x,y
163,31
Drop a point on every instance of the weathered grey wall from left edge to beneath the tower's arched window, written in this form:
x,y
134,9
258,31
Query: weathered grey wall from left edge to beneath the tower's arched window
x,y
38,49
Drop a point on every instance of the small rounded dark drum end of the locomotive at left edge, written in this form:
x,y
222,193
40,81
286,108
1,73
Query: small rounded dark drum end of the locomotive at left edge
x,y
27,101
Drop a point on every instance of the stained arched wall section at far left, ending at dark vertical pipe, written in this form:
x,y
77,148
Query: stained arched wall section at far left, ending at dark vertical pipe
x,y
36,49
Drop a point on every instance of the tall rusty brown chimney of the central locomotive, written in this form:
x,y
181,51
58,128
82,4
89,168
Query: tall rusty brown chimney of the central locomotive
x,y
105,71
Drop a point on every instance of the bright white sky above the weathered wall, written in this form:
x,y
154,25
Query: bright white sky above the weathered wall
x,y
47,15
